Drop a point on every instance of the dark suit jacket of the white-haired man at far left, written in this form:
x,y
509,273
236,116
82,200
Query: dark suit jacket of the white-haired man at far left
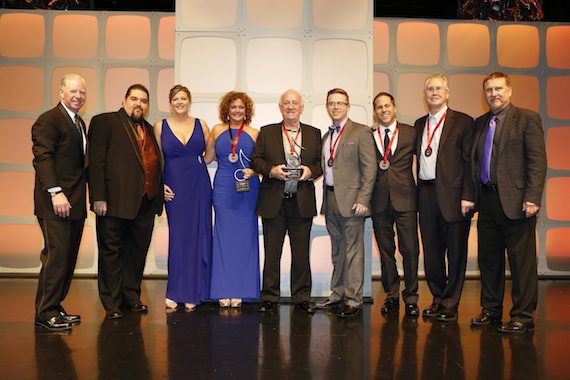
x,y
59,161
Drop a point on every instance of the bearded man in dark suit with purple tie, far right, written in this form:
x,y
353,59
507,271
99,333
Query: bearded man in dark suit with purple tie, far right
x,y
509,169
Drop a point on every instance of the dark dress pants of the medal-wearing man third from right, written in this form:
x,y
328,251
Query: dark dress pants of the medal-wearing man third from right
x,y
407,227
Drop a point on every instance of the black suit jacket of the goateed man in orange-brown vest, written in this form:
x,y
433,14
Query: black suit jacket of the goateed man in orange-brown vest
x,y
116,169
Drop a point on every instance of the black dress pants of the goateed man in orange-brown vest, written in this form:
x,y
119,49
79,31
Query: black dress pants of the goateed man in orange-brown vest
x,y
123,246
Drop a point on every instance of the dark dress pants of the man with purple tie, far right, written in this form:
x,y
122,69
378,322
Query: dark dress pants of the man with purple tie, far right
x,y
495,234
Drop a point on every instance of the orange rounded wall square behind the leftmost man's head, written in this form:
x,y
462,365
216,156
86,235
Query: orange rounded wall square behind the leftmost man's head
x,y
91,82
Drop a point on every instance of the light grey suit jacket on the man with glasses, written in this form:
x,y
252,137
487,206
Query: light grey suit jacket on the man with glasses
x,y
354,168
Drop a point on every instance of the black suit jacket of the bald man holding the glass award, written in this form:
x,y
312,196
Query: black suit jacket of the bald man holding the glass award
x,y
269,152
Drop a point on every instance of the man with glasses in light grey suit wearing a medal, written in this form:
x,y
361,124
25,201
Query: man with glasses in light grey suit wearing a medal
x,y
349,162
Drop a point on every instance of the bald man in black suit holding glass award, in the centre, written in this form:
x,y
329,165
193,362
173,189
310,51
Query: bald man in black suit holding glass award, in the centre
x,y
288,155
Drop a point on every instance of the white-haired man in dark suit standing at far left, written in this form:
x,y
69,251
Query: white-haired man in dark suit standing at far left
x,y
59,144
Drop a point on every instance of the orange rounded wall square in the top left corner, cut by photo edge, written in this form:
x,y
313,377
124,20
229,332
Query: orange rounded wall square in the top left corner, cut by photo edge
x,y
23,35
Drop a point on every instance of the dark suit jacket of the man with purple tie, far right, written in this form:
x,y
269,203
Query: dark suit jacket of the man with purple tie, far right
x,y
520,162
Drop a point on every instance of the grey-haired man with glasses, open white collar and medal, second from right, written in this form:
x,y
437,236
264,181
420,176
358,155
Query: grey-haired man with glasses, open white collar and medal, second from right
x,y
446,197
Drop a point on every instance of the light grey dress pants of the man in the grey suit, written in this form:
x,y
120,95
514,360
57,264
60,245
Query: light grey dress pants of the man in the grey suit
x,y
347,240
